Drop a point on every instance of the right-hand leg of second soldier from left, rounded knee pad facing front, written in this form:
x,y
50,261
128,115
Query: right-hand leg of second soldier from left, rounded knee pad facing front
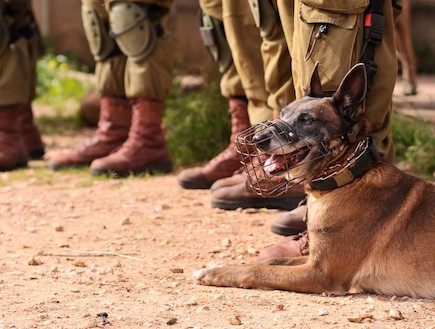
x,y
137,29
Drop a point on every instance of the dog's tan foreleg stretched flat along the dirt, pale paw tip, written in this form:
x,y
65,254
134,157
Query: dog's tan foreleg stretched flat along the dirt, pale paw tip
x,y
299,278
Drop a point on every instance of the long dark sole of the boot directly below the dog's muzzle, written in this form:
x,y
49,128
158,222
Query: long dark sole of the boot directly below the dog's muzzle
x,y
284,203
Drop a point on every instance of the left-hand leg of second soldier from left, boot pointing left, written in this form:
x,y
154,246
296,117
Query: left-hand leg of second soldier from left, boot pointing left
x,y
115,111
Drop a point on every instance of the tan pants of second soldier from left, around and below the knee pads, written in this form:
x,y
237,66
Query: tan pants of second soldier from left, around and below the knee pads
x,y
149,78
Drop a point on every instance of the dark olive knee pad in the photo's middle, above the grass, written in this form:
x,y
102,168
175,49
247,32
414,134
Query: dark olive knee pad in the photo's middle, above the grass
x,y
213,35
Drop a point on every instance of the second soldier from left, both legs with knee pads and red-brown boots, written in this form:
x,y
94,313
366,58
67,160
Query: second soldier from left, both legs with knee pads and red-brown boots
x,y
134,77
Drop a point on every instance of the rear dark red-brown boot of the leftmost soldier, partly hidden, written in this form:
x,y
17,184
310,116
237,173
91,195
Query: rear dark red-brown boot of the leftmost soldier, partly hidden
x,y
30,133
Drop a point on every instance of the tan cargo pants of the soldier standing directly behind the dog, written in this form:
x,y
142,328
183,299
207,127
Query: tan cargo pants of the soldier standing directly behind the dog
x,y
338,51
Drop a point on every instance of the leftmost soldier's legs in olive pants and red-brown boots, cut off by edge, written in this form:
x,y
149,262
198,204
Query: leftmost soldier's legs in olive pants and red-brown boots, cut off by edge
x,y
19,48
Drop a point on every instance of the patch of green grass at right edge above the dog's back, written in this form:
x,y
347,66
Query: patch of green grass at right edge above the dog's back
x,y
414,143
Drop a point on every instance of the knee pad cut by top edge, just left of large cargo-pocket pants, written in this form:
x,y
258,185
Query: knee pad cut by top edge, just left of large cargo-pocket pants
x,y
265,16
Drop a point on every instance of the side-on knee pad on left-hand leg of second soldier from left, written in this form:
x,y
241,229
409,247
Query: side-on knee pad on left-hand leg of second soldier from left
x,y
102,46
